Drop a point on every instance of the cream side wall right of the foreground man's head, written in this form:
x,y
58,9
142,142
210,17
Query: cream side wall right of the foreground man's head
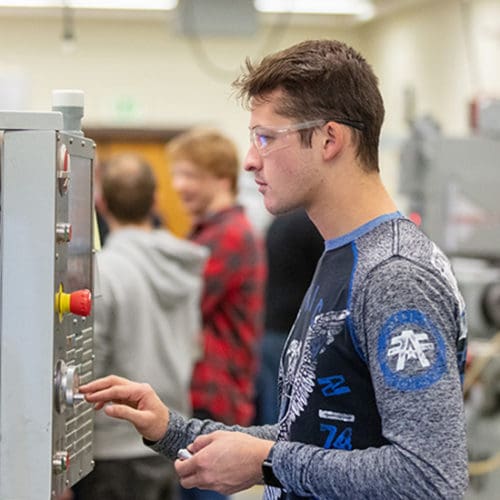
x,y
447,53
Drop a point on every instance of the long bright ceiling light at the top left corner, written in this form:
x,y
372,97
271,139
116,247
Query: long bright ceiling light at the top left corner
x,y
95,4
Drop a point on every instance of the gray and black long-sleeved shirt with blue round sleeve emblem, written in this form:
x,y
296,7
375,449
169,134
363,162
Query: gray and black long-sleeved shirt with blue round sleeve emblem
x,y
370,378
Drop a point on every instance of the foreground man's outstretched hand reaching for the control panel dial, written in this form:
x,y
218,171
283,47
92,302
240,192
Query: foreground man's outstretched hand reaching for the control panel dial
x,y
137,403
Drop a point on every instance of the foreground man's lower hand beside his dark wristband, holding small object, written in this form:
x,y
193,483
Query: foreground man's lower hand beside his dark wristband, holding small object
x,y
224,461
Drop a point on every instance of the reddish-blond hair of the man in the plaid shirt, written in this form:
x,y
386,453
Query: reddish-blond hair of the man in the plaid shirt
x,y
209,150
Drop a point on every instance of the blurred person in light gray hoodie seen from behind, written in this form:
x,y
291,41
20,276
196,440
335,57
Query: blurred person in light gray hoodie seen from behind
x,y
147,324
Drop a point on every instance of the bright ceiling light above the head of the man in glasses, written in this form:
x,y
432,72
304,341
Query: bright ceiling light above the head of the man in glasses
x,y
352,7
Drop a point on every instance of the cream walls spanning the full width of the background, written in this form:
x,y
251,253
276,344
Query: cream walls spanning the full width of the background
x,y
143,73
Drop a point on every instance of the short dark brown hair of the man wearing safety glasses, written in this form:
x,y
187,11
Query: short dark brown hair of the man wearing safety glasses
x,y
321,79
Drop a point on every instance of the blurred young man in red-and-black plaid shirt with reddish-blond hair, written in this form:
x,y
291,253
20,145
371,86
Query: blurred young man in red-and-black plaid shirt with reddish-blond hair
x,y
205,170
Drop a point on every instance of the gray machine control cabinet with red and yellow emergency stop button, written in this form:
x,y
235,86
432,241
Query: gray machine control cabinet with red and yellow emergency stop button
x,y
46,325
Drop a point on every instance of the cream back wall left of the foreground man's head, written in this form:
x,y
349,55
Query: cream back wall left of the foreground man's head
x,y
144,62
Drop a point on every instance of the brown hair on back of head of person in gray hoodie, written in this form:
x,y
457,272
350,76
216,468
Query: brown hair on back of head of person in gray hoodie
x,y
128,187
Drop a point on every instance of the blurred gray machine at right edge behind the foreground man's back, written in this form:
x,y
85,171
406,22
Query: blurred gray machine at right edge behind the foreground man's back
x,y
452,186
